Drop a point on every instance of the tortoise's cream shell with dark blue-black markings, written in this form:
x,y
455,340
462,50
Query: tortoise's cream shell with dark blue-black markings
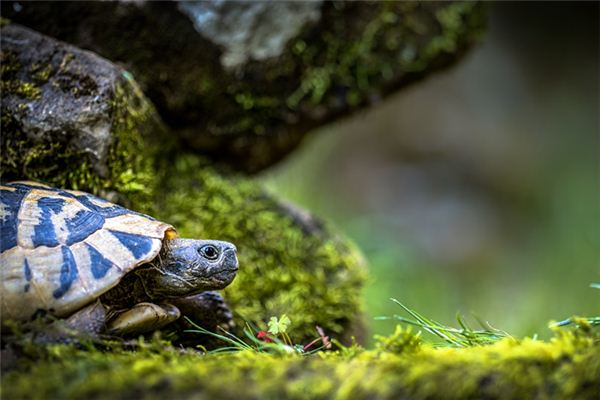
x,y
61,249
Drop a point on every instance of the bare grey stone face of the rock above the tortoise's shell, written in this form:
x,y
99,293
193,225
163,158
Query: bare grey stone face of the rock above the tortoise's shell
x,y
37,72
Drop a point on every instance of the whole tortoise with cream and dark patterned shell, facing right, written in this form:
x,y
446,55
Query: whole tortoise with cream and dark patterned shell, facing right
x,y
103,268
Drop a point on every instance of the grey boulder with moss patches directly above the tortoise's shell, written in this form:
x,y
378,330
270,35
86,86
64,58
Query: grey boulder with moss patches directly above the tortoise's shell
x,y
72,118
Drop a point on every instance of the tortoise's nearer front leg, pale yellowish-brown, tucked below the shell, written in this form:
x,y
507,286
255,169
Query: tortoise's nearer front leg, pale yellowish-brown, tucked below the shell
x,y
141,318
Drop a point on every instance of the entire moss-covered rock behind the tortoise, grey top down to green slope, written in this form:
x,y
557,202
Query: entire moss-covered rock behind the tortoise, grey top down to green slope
x,y
290,262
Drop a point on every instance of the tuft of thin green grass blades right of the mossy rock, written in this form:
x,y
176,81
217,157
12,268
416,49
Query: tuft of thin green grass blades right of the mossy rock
x,y
463,337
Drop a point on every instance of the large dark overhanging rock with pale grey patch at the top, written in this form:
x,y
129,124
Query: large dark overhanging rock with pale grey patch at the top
x,y
242,82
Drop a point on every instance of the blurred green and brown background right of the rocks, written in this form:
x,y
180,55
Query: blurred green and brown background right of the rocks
x,y
477,190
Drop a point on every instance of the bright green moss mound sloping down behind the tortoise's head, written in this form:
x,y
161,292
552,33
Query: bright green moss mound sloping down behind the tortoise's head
x,y
313,276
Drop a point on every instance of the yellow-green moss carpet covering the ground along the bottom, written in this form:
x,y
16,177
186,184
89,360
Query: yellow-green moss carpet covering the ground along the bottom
x,y
568,366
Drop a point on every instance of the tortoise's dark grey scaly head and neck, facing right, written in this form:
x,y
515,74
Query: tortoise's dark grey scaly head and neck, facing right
x,y
186,267
